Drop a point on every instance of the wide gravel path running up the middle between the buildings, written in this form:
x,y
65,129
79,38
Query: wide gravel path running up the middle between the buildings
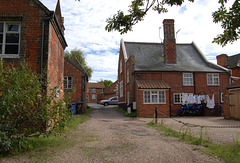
x,y
109,137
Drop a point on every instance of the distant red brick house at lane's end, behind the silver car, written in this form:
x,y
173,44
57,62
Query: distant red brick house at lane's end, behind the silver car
x,y
94,90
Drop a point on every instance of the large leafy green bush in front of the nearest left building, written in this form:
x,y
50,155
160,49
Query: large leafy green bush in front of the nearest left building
x,y
26,107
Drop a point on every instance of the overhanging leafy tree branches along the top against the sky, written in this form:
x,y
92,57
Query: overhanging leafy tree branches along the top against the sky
x,y
138,9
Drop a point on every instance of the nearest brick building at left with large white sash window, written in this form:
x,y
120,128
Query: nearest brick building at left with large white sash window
x,y
31,32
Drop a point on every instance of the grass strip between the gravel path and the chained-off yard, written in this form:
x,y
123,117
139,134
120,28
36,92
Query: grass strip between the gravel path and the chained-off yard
x,y
229,153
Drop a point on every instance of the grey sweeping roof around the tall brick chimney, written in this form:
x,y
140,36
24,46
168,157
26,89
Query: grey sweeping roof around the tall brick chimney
x,y
150,57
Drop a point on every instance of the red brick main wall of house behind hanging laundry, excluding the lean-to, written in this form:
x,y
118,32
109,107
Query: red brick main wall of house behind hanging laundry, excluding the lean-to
x,y
175,80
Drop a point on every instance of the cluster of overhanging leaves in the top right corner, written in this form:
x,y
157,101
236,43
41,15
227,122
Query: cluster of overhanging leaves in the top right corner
x,y
229,21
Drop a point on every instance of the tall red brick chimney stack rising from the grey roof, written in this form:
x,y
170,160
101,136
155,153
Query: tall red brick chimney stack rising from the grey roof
x,y
169,41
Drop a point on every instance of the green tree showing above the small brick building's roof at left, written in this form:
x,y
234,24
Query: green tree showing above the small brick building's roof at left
x,y
78,54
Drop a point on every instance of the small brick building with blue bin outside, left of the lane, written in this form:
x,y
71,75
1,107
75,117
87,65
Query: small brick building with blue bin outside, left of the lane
x,y
75,81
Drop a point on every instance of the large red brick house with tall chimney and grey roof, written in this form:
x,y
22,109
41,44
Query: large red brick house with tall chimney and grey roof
x,y
154,75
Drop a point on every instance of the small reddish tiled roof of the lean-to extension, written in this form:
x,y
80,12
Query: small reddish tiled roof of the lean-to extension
x,y
152,84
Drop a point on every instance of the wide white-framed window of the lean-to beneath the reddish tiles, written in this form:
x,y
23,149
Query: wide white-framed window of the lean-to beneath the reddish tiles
x,y
154,97
